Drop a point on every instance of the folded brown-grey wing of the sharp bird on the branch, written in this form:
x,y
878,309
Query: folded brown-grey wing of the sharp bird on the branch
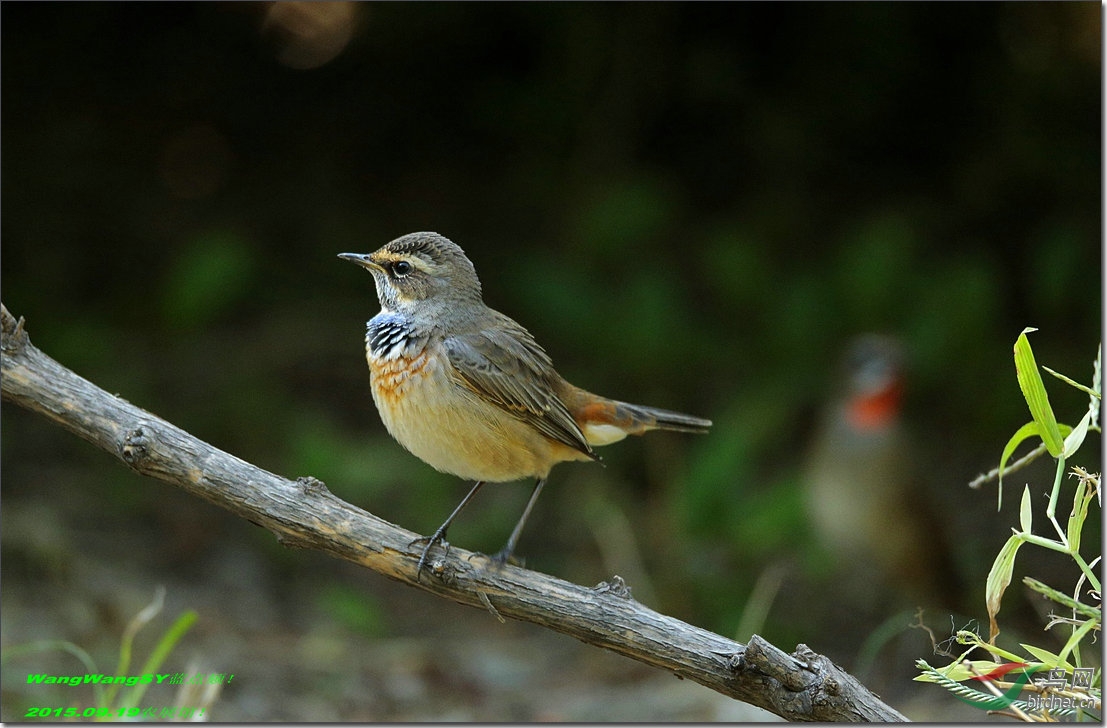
x,y
505,366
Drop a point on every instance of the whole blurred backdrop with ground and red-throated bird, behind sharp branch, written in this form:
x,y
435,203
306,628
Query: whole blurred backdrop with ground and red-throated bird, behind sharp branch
x,y
708,207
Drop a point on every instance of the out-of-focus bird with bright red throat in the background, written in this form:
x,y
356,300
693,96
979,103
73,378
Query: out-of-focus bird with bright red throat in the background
x,y
864,497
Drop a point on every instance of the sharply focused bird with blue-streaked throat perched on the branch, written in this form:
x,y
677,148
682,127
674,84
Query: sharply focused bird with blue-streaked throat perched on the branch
x,y
469,391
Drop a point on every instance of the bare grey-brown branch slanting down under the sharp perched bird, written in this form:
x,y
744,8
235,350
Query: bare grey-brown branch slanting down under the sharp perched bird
x,y
304,514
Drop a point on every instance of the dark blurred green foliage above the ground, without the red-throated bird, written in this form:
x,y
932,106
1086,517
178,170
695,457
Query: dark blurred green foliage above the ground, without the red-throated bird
x,y
691,205
